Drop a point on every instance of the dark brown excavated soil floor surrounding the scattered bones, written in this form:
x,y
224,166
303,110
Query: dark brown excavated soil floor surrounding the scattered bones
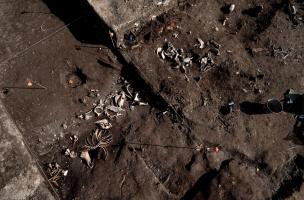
x,y
184,144
